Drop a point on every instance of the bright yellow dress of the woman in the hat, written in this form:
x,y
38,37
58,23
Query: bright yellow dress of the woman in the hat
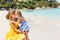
x,y
11,35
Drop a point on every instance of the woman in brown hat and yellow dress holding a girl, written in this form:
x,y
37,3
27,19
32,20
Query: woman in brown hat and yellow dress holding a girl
x,y
14,33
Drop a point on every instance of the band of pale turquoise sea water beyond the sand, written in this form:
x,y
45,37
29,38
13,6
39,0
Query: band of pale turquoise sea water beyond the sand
x,y
51,12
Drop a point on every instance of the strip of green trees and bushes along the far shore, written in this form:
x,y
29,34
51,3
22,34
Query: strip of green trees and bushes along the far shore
x,y
29,4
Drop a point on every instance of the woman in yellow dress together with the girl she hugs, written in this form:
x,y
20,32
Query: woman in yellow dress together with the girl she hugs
x,y
18,26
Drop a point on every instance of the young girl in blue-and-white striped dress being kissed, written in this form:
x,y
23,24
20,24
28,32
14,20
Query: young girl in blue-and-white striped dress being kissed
x,y
23,25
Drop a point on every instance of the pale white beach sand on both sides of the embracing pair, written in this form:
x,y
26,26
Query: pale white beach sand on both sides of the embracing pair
x,y
41,28
